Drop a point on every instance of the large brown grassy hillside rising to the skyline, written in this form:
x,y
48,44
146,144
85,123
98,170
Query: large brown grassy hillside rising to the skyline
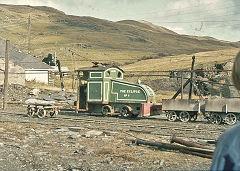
x,y
94,39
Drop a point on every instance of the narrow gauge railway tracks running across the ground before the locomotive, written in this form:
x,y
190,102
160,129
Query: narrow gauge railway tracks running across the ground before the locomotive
x,y
158,127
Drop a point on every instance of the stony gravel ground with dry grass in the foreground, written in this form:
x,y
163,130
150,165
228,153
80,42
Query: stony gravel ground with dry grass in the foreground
x,y
60,144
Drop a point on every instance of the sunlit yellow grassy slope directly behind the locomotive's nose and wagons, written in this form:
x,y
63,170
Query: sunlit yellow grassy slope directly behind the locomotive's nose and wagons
x,y
178,62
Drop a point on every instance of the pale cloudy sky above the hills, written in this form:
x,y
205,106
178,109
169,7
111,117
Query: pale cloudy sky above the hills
x,y
216,18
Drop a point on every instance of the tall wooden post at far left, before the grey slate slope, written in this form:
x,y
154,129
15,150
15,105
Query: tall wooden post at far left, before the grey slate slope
x,y
5,90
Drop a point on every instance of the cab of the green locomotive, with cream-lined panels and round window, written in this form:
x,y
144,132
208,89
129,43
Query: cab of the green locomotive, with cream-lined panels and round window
x,y
93,84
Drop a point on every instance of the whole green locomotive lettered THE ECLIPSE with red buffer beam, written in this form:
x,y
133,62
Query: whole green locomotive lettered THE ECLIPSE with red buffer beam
x,y
101,89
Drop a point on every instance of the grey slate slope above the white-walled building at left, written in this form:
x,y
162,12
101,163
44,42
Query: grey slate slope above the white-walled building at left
x,y
20,58
